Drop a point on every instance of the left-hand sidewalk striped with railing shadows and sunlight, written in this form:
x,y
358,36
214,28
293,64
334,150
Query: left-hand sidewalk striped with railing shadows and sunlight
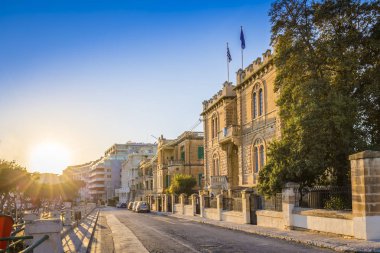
x,y
78,239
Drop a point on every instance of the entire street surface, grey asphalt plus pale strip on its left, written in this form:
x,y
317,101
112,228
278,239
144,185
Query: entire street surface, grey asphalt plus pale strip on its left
x,y
132,232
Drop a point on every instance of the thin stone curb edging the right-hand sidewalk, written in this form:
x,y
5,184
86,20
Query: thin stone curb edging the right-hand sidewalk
x,y
319,244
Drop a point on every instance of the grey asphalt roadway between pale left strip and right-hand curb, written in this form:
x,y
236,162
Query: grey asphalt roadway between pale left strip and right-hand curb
x,y
168,234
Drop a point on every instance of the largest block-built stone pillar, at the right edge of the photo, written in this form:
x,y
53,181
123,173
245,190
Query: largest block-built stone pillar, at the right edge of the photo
x,y
365,180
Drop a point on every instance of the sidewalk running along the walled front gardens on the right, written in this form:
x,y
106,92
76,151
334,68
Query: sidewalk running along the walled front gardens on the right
x,y
329,241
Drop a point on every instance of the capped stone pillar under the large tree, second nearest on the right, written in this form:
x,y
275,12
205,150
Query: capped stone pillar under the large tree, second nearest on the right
x,y
288,202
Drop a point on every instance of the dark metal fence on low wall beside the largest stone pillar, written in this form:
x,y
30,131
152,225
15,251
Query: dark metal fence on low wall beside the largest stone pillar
x,y
324,197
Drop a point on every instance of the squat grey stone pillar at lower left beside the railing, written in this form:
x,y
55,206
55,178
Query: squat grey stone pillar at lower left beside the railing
x,y
50,227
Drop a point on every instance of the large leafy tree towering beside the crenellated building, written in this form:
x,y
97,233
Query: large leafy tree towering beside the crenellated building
x,y
327,62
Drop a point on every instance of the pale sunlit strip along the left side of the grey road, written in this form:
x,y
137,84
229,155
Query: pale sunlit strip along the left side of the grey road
x,y
123,238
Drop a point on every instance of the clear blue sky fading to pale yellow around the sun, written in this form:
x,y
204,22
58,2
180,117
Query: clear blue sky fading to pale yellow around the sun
x,y
78,76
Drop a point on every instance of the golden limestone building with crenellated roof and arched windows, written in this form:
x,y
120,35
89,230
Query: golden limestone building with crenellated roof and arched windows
x,y
239,122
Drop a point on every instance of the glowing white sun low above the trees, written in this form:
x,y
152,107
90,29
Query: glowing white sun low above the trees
x,y
49,157
